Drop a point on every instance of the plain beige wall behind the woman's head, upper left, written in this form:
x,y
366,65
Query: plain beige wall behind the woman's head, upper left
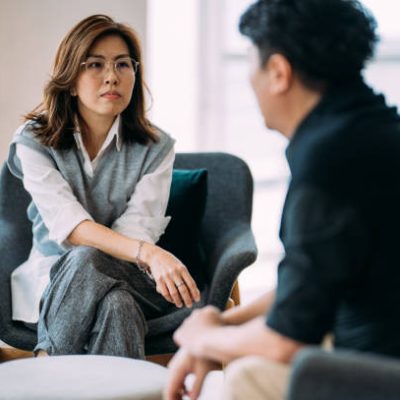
x,y
30,32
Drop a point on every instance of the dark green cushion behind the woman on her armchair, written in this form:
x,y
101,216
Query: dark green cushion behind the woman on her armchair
x,y
186,207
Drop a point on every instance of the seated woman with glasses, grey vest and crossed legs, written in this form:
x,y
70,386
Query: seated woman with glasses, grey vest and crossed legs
x,y
99,175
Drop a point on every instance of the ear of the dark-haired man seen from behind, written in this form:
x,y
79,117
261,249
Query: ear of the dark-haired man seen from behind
x,y
280,73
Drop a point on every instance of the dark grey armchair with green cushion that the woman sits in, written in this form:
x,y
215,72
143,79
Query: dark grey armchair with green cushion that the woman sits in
x,y
226,239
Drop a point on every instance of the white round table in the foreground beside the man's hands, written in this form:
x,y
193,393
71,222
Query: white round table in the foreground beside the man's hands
x,y
81,377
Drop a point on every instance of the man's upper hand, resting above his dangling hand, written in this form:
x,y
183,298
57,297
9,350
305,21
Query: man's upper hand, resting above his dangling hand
x,y
196,328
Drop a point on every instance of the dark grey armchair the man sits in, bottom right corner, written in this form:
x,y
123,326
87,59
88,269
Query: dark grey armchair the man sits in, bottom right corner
x,y
344,375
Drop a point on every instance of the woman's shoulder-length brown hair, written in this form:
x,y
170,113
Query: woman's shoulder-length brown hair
x,y
56,114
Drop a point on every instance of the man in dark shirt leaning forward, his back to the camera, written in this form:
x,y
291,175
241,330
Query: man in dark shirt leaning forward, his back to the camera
x,y
341,217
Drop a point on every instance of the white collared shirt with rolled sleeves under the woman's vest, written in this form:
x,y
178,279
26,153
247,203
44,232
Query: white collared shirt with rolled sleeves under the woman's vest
x,y
143,219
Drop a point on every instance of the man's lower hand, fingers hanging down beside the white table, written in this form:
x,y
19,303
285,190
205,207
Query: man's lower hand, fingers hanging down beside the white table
x,y
180,367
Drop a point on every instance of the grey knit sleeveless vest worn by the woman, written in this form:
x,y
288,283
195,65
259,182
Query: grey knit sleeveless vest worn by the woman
x,y
105,195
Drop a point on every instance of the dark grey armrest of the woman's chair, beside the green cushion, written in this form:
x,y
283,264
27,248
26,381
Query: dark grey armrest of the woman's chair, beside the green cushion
x,y
234,251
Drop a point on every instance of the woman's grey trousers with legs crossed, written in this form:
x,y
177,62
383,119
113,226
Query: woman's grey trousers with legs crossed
x,y
97,304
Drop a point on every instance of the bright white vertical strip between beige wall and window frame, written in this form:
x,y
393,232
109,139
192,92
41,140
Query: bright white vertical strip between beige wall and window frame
x,y
174,65
